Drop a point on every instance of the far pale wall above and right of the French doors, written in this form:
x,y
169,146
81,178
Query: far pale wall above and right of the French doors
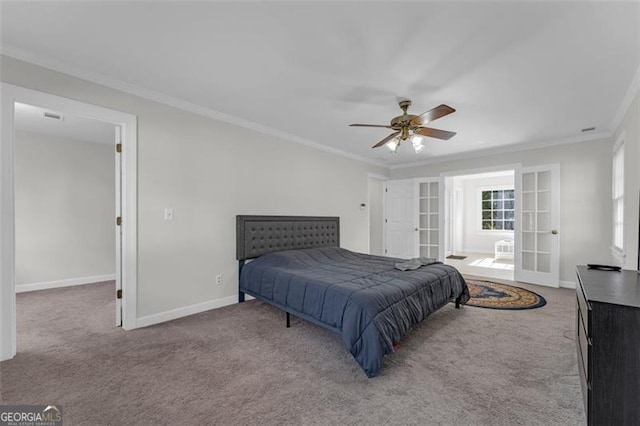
x,y
585,185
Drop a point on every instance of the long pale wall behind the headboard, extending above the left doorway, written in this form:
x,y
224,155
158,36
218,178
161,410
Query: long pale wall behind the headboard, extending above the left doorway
x,y
209,171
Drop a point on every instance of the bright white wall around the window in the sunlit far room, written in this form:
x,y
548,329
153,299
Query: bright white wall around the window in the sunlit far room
x,y
474,239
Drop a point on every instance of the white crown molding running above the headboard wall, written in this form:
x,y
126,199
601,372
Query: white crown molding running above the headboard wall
x,y
65,68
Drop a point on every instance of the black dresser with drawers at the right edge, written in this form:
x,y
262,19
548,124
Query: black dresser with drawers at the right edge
x,y
608,345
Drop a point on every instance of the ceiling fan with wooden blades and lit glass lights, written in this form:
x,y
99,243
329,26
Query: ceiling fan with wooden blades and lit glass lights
x,y
409,126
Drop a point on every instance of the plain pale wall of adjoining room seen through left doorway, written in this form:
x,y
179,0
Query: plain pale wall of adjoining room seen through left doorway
x,y
64,209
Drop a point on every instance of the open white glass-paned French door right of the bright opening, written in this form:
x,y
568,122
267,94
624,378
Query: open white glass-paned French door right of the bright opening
x,y
536,235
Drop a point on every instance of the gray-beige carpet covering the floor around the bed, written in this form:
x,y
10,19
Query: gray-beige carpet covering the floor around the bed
x,y
240,365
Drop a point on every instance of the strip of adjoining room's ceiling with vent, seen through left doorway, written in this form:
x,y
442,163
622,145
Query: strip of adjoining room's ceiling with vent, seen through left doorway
x,y
32,119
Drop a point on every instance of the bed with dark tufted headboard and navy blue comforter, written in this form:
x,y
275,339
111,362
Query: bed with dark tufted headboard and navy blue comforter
x,y
299,267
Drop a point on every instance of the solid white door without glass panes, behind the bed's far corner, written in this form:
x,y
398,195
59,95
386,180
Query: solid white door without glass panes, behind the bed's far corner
x,y
400,219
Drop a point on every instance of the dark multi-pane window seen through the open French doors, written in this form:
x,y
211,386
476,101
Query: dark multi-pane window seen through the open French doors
x,y
497,207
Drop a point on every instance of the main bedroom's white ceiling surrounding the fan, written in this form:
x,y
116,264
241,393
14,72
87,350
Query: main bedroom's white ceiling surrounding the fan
x,y
519,74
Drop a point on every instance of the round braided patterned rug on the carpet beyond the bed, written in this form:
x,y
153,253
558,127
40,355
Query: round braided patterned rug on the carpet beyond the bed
x,y
488,294
